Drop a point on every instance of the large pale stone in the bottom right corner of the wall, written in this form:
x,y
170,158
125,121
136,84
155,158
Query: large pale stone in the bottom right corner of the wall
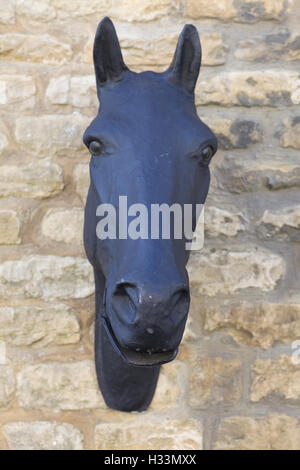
x,y
271,432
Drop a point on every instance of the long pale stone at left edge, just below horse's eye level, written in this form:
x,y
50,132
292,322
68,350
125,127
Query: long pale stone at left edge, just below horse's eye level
x,y
35,180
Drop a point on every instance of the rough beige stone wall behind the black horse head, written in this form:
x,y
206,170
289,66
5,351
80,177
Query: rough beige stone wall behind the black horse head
x,y
234,385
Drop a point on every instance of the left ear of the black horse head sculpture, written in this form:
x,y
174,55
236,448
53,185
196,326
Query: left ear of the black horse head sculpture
x,y
108,60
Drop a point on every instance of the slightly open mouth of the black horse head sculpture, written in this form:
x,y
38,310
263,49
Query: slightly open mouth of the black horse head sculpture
x,y
134,357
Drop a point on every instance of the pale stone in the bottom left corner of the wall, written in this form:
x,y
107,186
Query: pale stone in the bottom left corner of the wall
x,y
42,435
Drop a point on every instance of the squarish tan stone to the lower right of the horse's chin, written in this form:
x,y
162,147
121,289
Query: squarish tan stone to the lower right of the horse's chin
x,y
214,381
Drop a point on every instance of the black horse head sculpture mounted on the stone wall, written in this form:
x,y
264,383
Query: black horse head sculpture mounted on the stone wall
x,y
148,144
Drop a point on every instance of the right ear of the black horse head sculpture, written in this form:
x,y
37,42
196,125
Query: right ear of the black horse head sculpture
x,y
184,69
